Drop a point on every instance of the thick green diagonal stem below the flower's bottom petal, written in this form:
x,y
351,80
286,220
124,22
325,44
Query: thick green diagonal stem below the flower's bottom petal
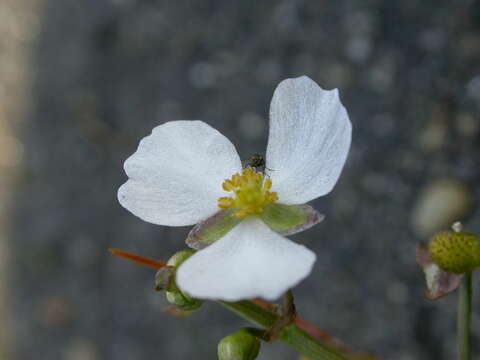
x,y
291,335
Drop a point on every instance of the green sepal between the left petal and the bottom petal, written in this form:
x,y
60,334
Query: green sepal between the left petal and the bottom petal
x,y
210,230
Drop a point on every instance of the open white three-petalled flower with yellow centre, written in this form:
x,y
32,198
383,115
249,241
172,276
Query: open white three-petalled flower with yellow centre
x,y
176,177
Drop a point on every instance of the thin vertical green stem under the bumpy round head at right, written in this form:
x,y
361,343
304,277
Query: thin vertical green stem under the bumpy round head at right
x,y
463,317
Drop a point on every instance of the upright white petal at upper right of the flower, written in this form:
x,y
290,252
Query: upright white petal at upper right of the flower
x,y
309,139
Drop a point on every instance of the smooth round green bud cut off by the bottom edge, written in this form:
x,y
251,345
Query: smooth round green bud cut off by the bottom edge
x,y
240,345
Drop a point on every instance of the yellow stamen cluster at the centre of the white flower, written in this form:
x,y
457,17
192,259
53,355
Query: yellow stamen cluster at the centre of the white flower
x,y
251,193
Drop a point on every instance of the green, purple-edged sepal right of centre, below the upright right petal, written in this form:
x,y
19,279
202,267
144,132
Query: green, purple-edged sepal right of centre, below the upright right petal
x,y
290,219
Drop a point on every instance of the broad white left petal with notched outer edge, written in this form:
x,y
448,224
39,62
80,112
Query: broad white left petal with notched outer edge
x,y
176,175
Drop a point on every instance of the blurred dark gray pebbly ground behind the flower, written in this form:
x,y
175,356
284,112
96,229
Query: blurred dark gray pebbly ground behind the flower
x,y
83,81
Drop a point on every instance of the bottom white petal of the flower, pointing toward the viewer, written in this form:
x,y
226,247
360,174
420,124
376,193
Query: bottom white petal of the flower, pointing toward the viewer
x,y
250,261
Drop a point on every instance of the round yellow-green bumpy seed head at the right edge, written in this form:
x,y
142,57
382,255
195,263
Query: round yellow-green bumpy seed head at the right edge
x,y
455,252
